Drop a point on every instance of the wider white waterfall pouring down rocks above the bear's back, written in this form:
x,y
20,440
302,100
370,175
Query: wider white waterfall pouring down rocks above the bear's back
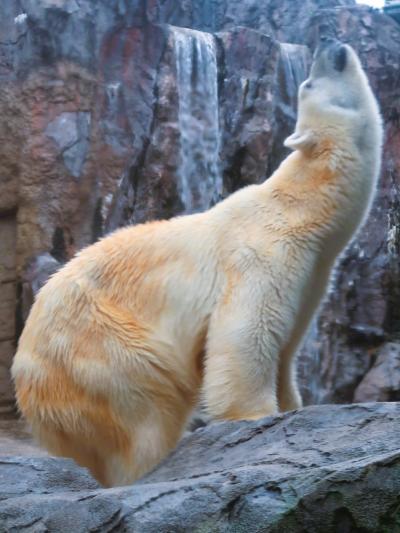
x,y
200,182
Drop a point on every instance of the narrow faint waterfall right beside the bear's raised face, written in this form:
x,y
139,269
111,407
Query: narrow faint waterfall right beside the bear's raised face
x,y
295,61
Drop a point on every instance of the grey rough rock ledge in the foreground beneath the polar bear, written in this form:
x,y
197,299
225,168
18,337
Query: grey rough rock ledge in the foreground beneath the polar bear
x,y
322,469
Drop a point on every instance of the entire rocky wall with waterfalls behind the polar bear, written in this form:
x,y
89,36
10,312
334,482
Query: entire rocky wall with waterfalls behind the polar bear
x,y
114,113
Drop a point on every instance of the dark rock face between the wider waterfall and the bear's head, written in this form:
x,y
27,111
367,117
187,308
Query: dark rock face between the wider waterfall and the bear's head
x,y
258,93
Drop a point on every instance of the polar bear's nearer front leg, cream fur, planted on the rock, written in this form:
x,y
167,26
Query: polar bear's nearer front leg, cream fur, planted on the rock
x,y
241,367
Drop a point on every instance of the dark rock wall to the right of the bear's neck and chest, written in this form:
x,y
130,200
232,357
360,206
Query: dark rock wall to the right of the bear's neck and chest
x,y
360,322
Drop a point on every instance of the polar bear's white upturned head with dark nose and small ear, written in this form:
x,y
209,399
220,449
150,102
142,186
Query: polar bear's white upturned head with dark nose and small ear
x,y
336,102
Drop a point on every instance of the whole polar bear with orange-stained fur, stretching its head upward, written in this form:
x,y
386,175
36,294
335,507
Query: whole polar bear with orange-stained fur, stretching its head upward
x,y
123,341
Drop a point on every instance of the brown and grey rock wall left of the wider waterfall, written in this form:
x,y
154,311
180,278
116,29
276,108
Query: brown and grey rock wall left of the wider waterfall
x,y
77,101
